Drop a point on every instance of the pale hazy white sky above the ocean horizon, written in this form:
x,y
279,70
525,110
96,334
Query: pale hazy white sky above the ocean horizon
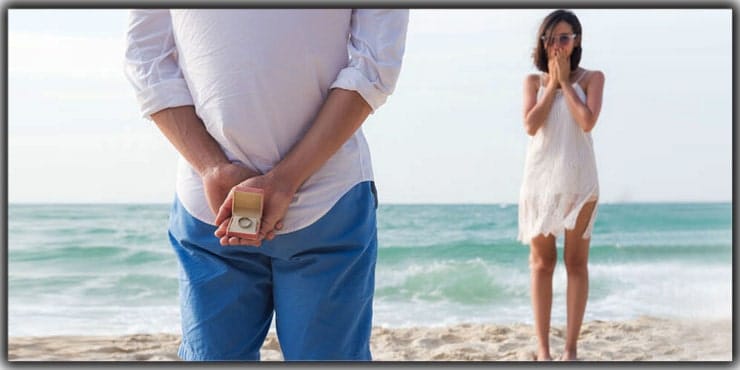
x,y
451,133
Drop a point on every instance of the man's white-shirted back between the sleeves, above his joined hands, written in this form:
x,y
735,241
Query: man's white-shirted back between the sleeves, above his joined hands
x,y
258,77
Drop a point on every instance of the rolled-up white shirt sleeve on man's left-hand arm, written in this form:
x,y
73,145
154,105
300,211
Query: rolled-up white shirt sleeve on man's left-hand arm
x,y
151,62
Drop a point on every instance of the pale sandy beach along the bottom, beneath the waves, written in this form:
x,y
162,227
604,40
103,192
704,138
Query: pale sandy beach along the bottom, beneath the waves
x,y
641,339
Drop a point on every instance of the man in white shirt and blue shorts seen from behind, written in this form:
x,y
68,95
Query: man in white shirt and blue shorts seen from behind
x,y
270,99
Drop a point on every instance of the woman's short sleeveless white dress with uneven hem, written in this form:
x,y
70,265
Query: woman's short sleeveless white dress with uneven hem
x,y
559,173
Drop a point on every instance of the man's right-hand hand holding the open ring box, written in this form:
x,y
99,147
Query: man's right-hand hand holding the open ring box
x,y
277,197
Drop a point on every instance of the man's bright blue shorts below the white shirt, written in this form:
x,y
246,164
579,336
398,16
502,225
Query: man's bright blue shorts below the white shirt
x,y
319,282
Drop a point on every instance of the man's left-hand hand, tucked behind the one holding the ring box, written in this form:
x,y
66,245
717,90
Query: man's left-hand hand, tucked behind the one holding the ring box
x,y
218,181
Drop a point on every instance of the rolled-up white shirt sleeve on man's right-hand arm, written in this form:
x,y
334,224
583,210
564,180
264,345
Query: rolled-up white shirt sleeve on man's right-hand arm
x,y
376,46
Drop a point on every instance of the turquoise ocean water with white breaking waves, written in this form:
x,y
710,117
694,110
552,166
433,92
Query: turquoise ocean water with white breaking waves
x,y
109,269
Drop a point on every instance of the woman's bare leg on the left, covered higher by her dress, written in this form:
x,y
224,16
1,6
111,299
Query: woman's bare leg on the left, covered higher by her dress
x,y
542,259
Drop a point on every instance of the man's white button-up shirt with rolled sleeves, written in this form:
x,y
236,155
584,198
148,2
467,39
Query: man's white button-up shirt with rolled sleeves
x,y
257,79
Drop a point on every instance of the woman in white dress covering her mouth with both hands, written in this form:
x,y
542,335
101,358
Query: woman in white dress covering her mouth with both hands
x,y
560,186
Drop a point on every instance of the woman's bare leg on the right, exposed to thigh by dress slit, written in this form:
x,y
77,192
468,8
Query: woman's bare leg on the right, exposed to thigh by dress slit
x,y
576,263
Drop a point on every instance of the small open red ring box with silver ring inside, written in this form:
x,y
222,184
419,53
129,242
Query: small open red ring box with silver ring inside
x,y
247,203
